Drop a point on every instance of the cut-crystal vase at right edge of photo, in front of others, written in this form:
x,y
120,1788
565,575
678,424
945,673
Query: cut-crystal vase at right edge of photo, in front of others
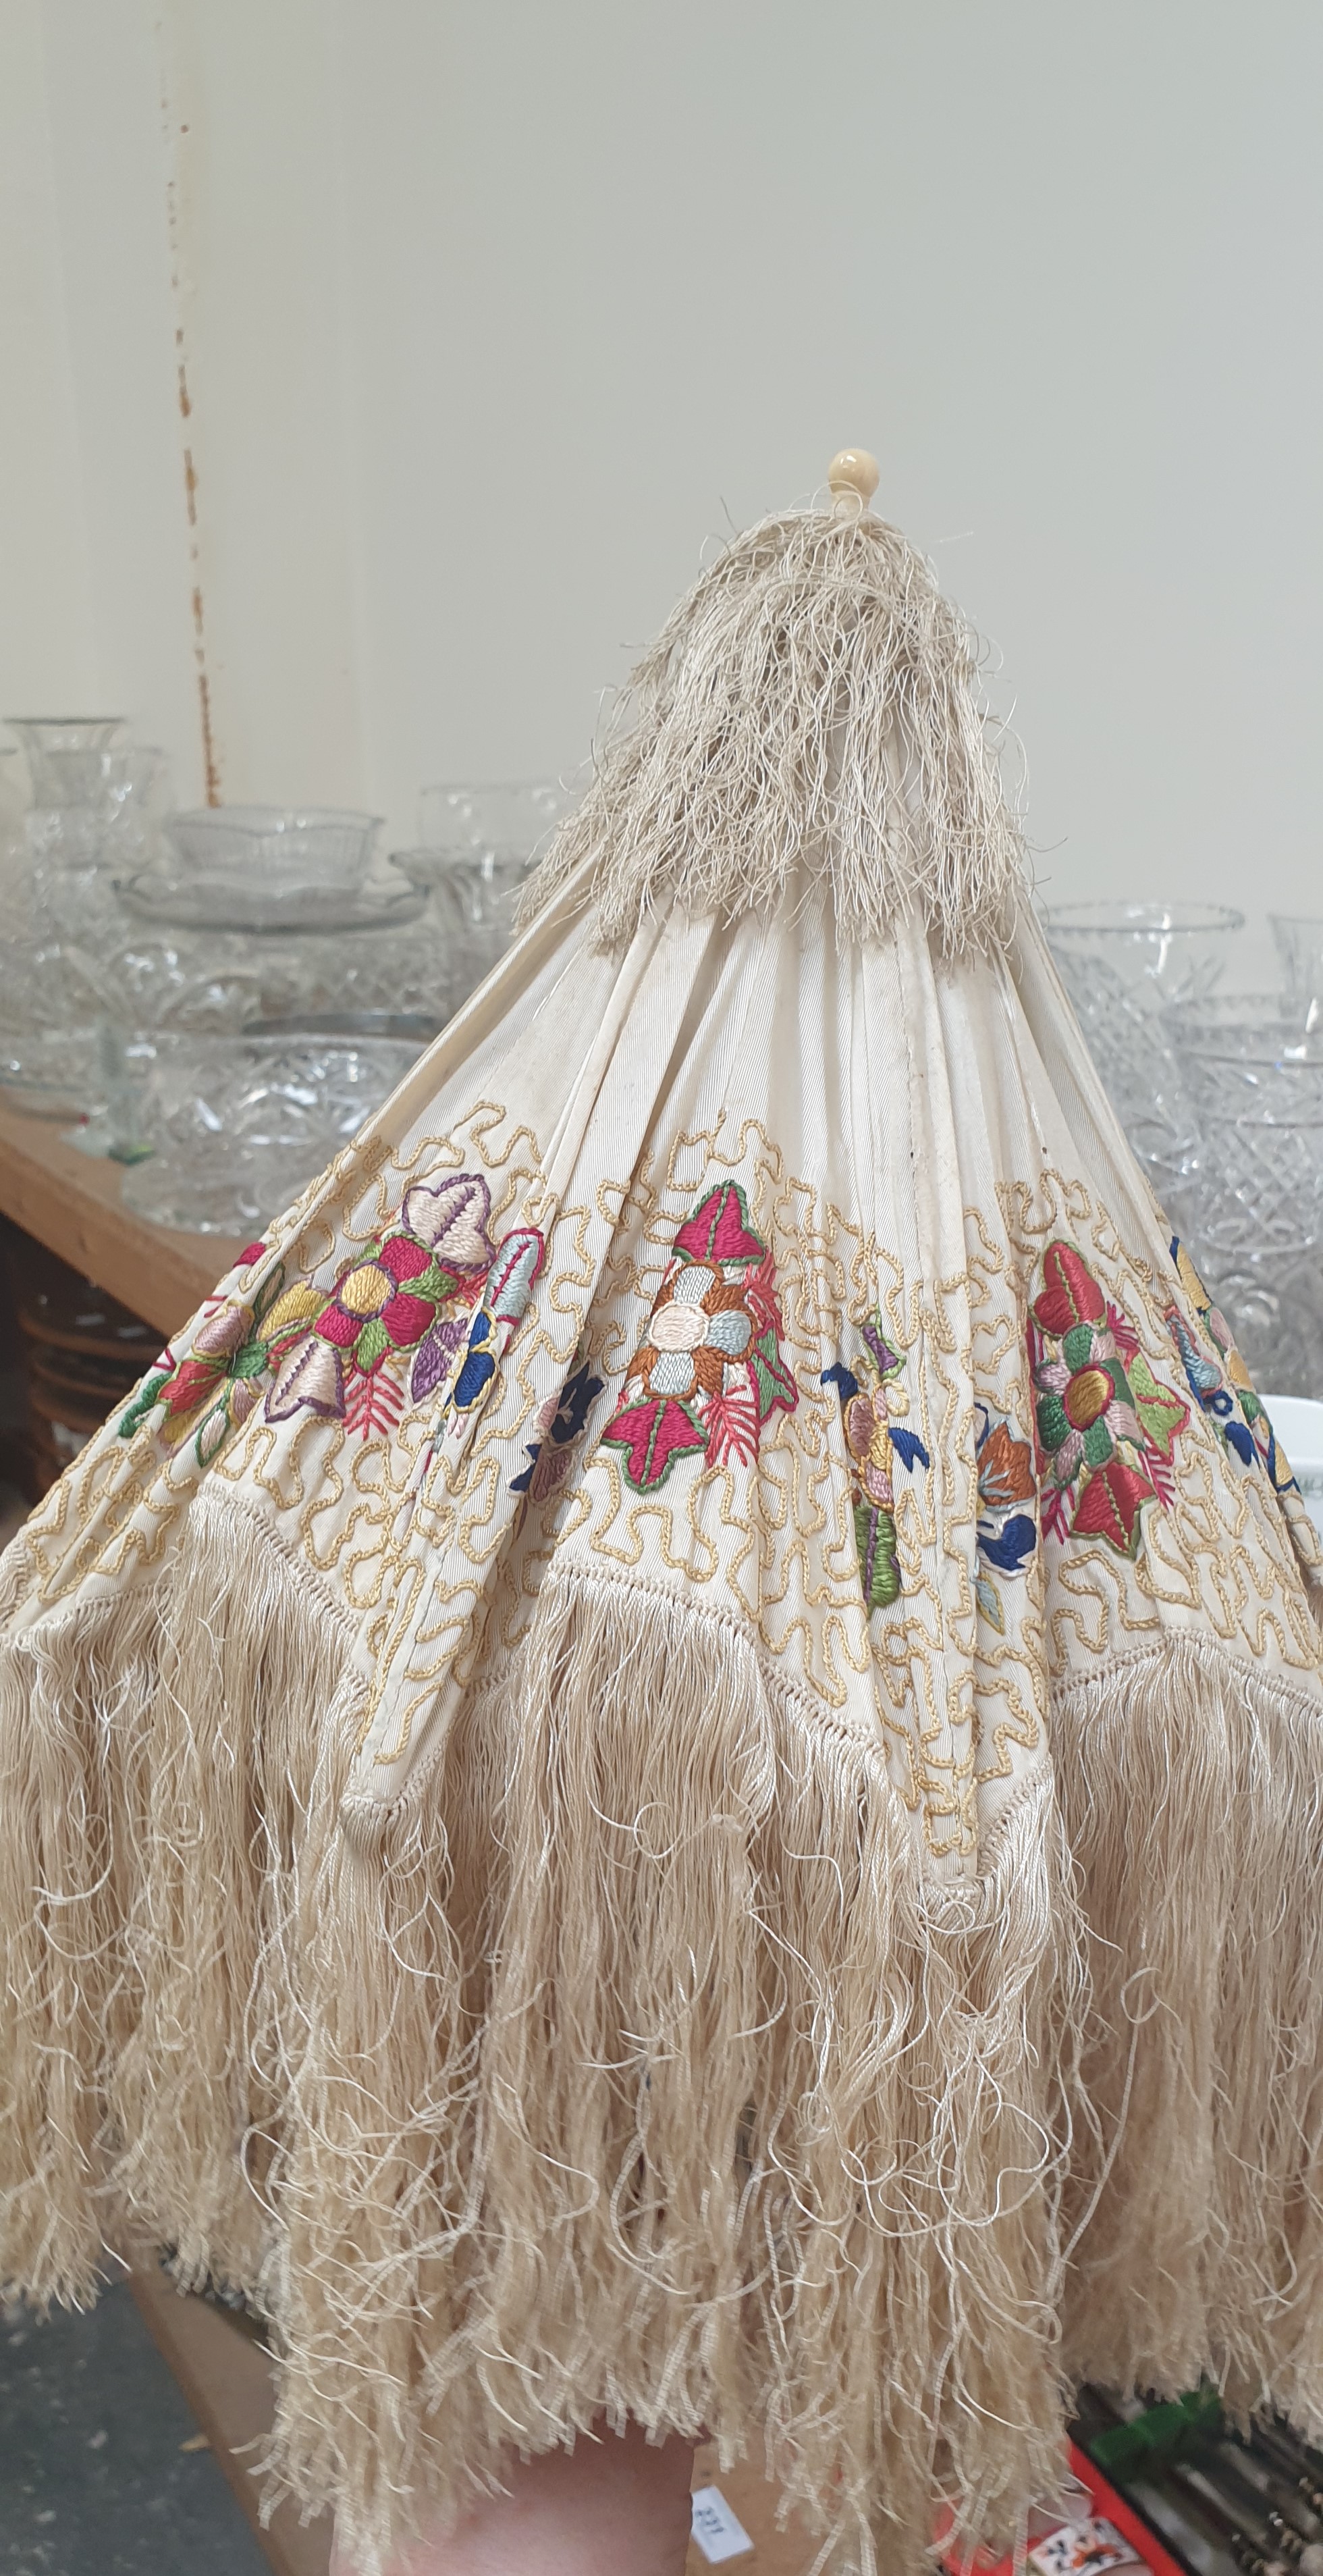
x,y
1255,1078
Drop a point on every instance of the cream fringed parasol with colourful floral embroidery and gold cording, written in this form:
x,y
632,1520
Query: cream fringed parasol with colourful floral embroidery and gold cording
x,y
673,1761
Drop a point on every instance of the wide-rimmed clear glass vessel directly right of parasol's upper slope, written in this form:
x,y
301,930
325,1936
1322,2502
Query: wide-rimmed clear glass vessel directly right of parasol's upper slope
x,y
1124,967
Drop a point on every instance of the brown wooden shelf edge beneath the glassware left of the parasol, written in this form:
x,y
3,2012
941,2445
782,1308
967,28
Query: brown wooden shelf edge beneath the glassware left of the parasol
x,y
73,1207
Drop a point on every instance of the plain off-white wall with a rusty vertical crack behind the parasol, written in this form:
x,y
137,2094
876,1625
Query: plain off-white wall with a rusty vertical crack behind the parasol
x,y
498,310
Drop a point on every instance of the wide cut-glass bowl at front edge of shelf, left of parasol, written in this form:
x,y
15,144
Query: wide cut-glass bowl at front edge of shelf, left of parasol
x,y
238,1127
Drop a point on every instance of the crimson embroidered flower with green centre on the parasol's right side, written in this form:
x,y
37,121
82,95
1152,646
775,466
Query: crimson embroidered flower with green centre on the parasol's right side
x,y
1106,1428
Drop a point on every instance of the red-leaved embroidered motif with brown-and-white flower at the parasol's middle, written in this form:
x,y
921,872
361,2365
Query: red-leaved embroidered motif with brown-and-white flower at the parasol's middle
x,y
709,1369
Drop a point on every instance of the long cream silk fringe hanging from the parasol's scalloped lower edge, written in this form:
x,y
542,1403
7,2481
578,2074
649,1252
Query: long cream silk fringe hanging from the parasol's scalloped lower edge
x,y
640,2067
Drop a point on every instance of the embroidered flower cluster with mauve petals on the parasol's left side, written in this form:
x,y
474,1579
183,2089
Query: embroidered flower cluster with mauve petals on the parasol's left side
x,y
429,1292
